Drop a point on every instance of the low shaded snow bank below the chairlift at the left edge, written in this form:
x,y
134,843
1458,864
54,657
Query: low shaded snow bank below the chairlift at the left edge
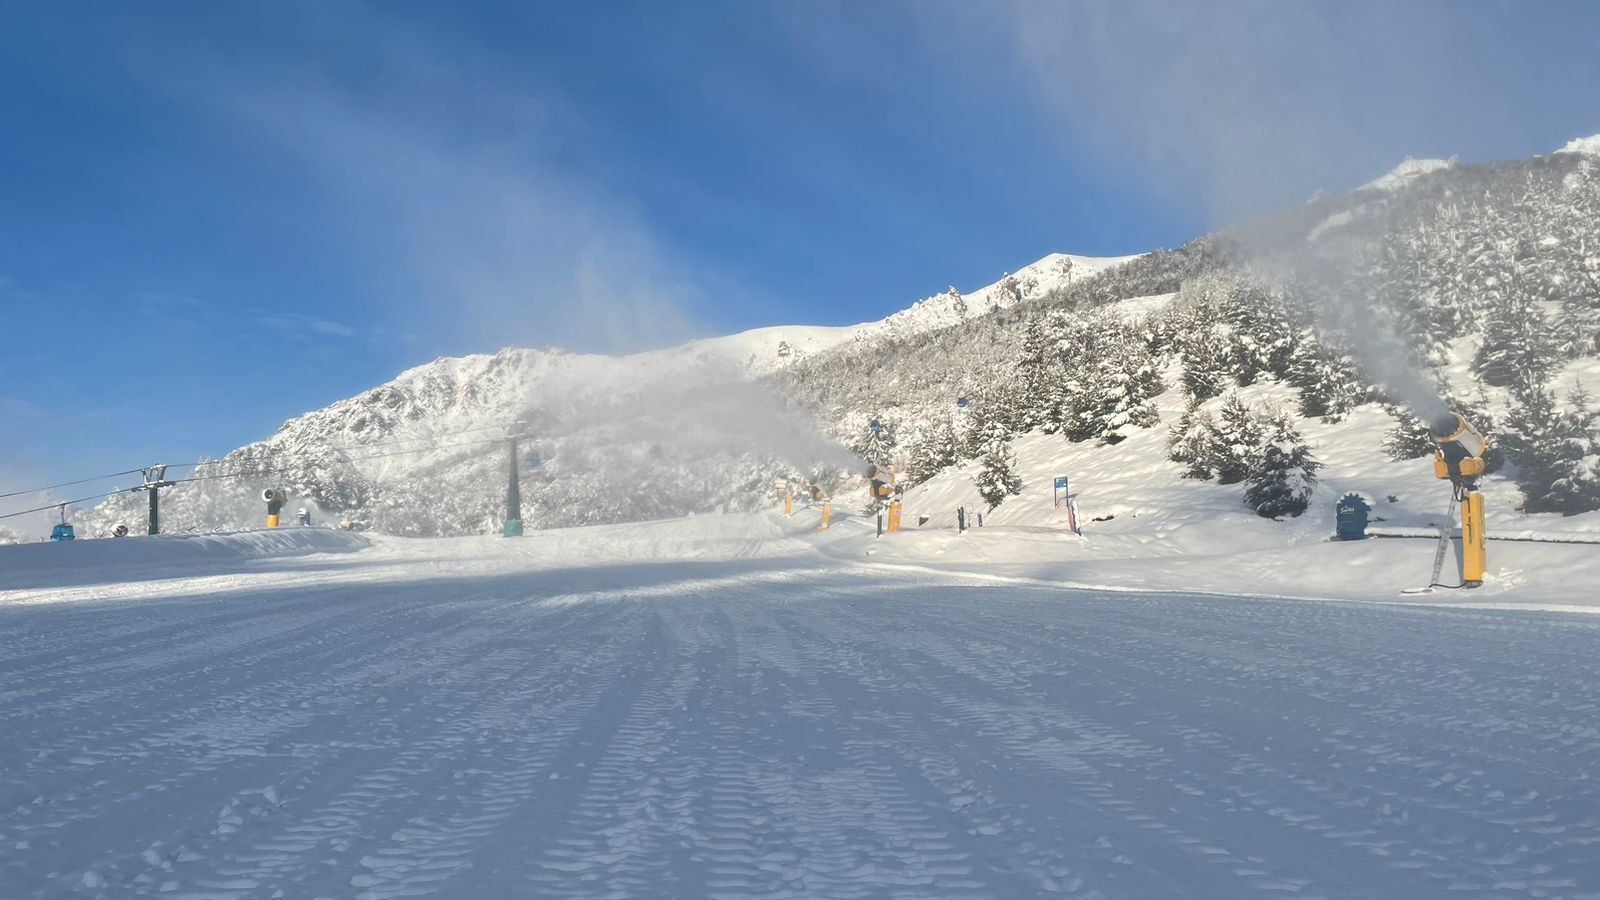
x,y
110,560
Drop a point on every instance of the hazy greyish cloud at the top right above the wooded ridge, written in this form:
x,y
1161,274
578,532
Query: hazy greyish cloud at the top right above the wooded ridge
x,y
1241,105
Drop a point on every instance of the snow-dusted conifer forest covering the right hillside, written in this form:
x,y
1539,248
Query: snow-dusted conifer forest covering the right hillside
x,y
1471,287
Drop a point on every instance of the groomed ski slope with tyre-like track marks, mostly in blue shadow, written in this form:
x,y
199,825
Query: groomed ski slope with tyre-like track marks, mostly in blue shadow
x,y
714,709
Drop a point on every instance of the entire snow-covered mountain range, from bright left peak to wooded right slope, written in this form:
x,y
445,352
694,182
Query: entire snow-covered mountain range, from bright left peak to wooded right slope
x,y
1441,283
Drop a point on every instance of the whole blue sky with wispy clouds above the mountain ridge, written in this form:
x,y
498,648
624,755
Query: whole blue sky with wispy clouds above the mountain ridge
x,y
215,217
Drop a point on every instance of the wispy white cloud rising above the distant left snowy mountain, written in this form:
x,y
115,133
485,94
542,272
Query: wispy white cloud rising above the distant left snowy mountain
x,y
449,188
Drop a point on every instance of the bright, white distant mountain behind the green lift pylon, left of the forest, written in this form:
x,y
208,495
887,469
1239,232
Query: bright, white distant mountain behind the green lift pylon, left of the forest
x,y
617,438
